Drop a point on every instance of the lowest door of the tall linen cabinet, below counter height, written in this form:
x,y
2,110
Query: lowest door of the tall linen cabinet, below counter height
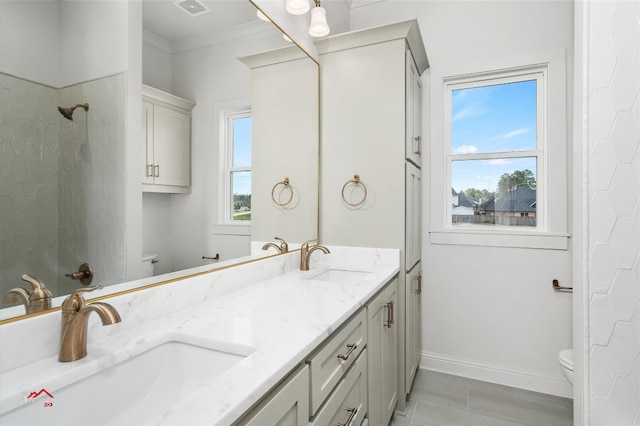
x,y
413,342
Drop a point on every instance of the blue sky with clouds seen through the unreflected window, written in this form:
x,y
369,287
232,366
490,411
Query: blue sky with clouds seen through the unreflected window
x,y
491,119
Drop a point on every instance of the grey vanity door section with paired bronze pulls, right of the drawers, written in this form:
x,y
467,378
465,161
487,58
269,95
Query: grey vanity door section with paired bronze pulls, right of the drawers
x,y
383,355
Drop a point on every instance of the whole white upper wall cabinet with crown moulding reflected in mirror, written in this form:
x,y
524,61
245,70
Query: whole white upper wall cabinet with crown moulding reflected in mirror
x,y
166,132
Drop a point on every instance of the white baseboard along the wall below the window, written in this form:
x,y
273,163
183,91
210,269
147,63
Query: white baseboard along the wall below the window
x,y
495,374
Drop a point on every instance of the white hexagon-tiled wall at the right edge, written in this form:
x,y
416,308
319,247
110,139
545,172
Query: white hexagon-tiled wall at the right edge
x,y
614,212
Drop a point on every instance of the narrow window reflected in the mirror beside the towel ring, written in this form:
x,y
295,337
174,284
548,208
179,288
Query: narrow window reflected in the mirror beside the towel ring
x,y
237,175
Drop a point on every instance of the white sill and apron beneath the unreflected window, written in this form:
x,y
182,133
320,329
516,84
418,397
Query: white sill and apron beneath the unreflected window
x,y
471,237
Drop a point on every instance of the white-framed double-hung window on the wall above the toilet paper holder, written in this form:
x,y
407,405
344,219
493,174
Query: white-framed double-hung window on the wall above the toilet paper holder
x,y
497,141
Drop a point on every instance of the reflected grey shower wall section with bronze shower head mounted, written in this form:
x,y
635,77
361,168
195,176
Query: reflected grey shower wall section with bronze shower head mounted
x,y
92,181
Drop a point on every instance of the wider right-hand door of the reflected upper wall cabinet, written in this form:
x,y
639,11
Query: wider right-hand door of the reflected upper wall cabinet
x,y
171,147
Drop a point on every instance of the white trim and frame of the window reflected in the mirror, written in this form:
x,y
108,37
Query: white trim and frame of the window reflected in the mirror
x,y
224,177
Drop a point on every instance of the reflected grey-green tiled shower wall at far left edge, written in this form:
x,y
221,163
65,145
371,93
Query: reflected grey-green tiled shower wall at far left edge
x,y
29,149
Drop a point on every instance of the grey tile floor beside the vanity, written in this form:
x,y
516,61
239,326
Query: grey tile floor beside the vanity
x,y
439,399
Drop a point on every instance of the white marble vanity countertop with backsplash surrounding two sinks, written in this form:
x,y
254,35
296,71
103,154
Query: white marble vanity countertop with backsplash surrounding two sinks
x,y
267,307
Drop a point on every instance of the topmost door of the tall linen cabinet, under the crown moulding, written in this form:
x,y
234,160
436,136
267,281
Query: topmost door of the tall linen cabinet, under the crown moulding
x,y
413,130
